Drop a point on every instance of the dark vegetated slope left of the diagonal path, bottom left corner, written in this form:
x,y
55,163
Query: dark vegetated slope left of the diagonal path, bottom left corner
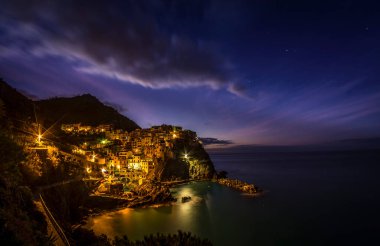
x,y
20,221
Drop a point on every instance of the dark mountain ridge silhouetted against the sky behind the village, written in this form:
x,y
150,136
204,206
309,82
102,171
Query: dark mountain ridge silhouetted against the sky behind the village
x,y
86,109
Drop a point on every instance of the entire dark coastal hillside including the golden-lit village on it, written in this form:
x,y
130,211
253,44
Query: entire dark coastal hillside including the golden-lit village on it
x,y
25,168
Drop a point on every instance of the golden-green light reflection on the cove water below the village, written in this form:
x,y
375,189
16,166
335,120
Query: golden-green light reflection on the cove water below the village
x,y
188,216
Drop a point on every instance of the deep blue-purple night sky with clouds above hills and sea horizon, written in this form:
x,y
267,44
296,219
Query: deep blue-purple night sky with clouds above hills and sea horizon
x,y
253,72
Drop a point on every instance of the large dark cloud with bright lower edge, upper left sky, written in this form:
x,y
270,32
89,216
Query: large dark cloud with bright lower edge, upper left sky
x,y
133,41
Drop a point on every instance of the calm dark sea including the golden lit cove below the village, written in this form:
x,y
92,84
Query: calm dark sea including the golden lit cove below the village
x,y
310,199
